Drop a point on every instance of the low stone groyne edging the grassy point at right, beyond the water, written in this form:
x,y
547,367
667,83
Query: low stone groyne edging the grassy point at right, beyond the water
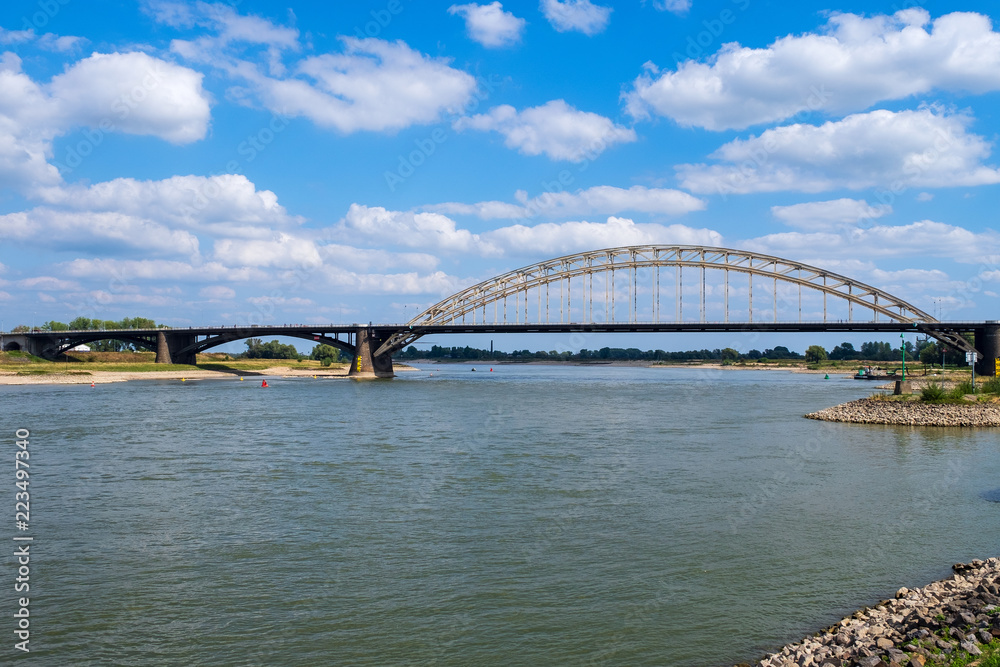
x,y
911,413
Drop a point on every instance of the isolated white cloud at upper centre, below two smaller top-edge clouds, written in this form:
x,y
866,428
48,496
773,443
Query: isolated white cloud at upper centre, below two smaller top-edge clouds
x,y
555,128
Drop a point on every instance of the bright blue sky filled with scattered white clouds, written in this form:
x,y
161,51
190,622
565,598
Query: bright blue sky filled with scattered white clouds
x,y
298,162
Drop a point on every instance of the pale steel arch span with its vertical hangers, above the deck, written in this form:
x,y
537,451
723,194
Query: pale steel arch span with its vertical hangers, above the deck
x,y
588,289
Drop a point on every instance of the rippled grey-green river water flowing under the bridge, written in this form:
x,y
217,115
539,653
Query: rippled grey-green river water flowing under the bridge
x,y
530,515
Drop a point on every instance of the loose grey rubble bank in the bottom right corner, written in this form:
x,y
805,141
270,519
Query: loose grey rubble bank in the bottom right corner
x,y
920,627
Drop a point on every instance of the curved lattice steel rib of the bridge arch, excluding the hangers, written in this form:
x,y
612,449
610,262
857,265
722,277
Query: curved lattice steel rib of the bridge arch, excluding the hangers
x,y
499,288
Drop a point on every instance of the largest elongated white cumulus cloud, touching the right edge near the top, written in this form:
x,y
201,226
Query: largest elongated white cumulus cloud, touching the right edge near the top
x,y
852,64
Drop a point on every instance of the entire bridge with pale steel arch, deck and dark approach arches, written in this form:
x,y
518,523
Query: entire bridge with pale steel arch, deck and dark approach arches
x,y
653,288
